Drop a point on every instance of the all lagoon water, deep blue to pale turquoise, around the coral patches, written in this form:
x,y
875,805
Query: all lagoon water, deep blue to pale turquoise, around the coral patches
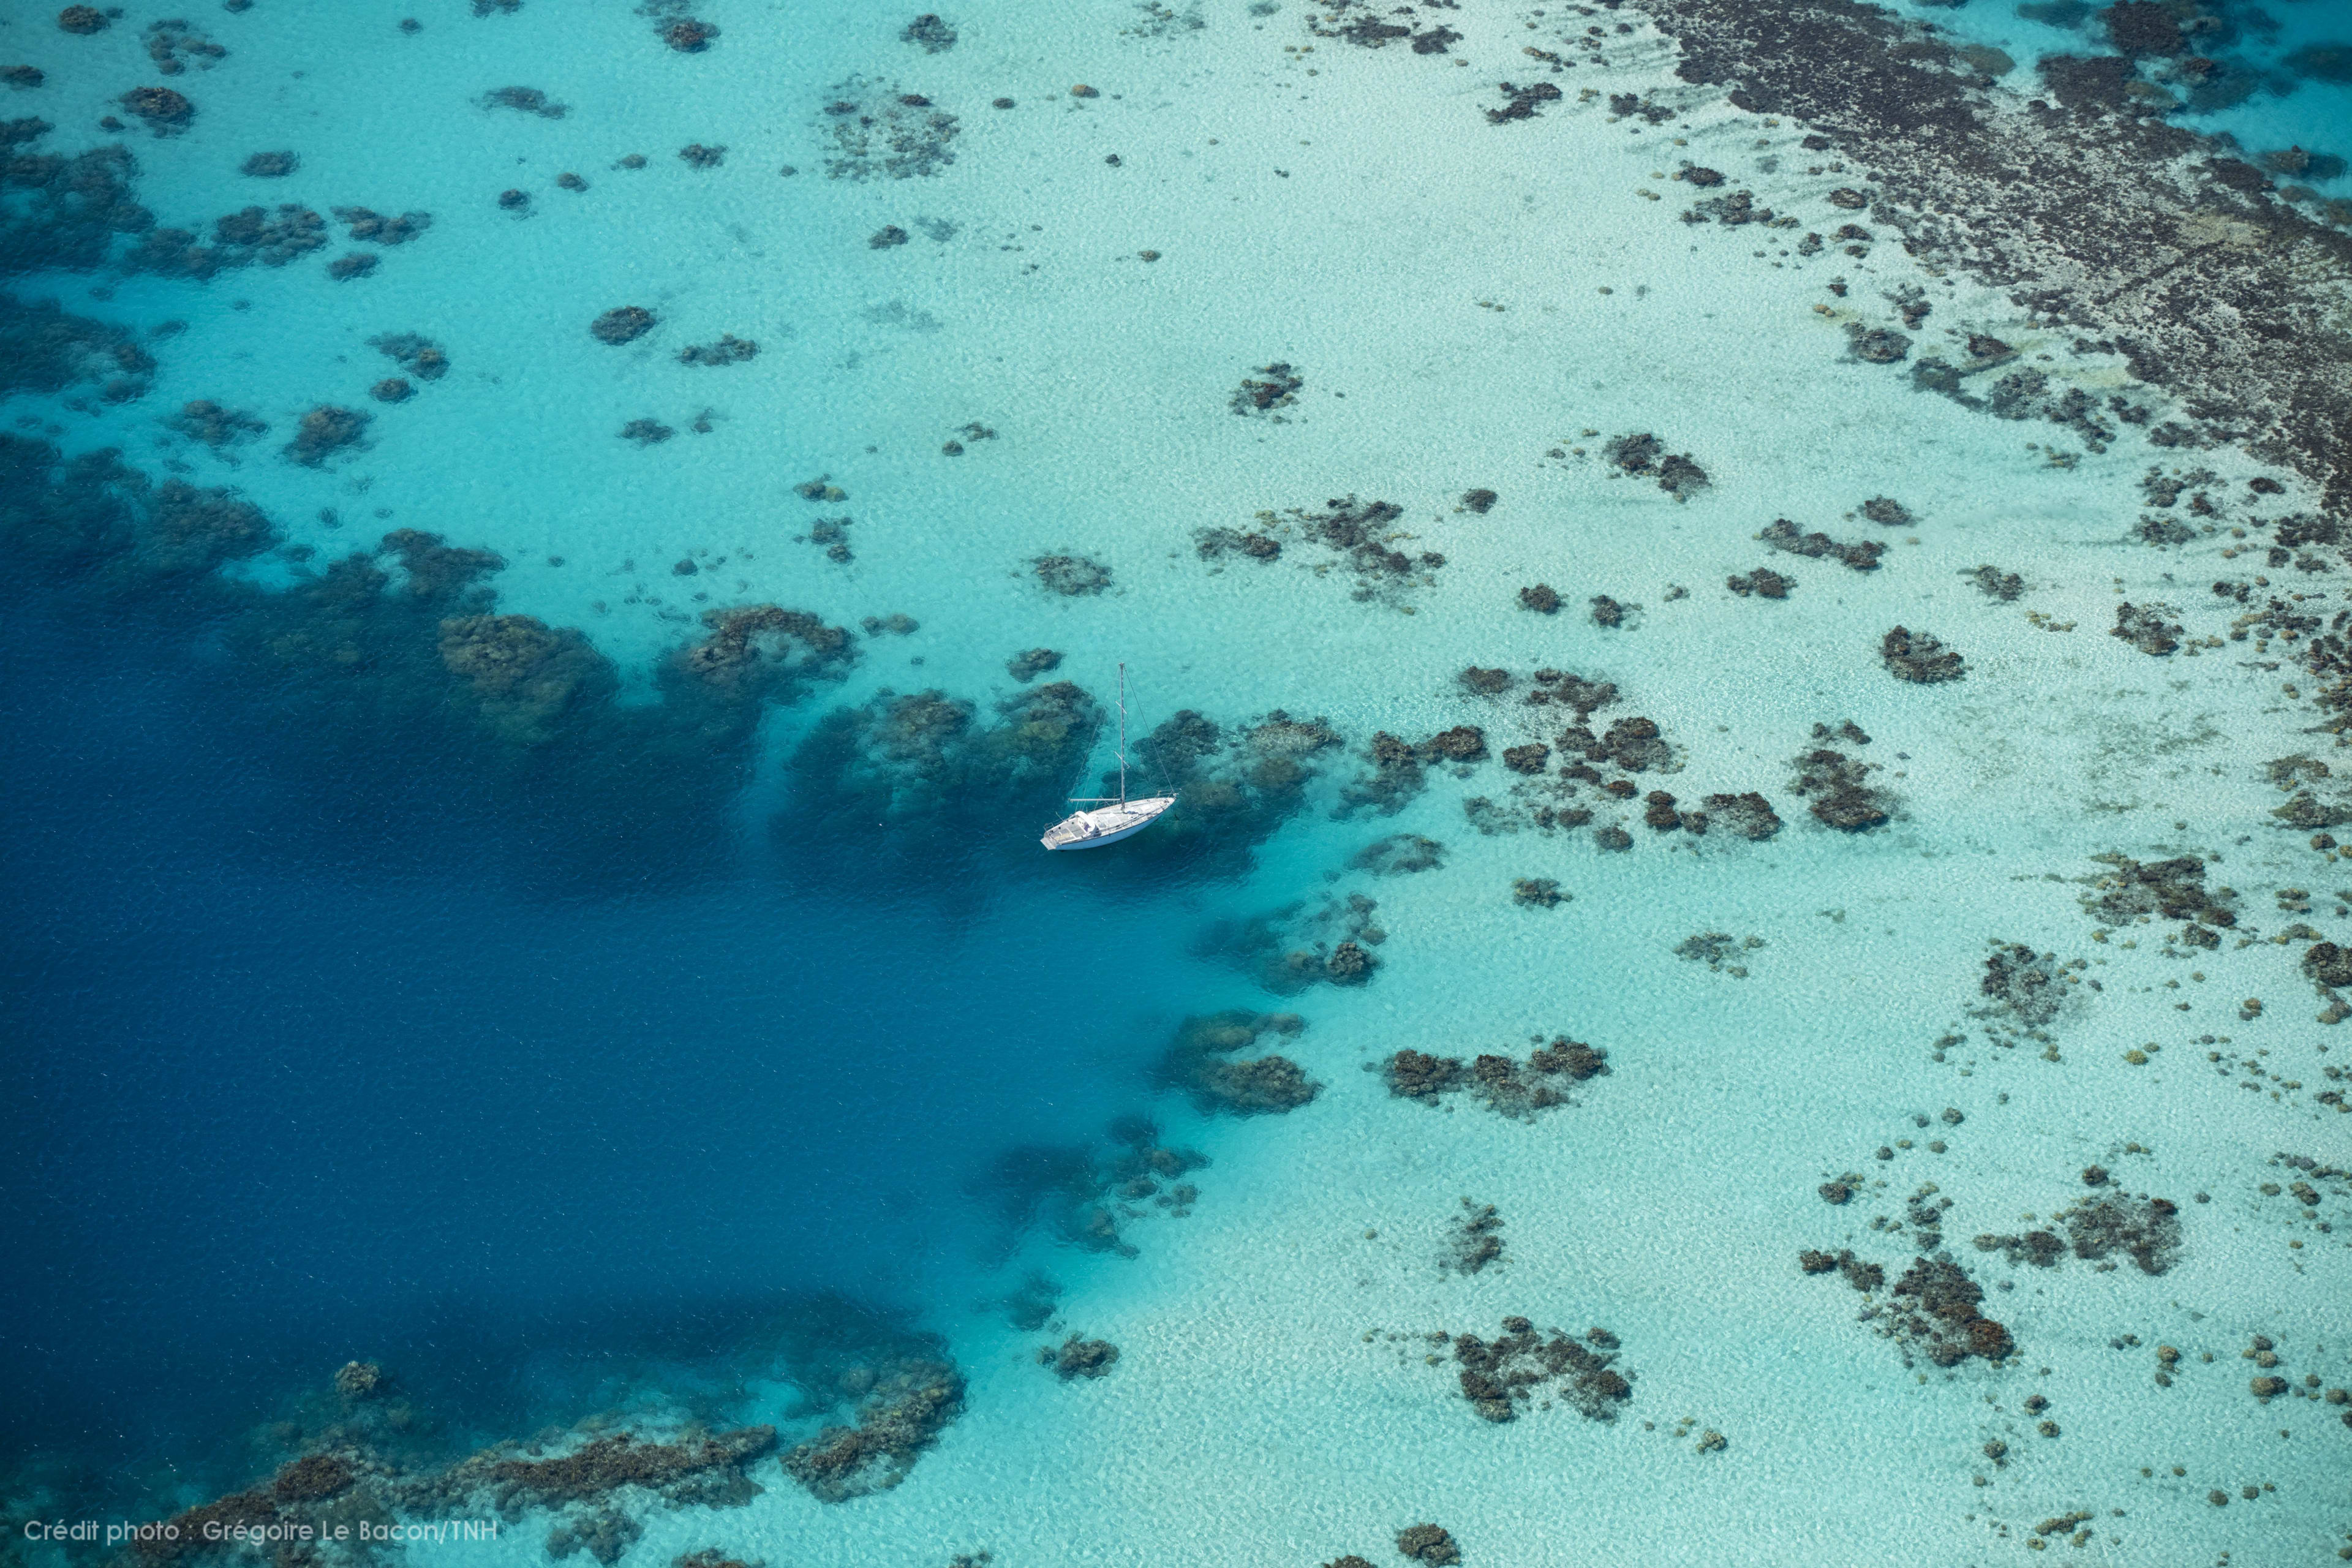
x,y
660,1083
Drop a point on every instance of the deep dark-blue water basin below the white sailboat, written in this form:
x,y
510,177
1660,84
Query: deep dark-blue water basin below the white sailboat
x,y
307,1071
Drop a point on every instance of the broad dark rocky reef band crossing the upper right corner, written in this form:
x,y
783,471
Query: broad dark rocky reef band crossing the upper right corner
x,y
2083,203
